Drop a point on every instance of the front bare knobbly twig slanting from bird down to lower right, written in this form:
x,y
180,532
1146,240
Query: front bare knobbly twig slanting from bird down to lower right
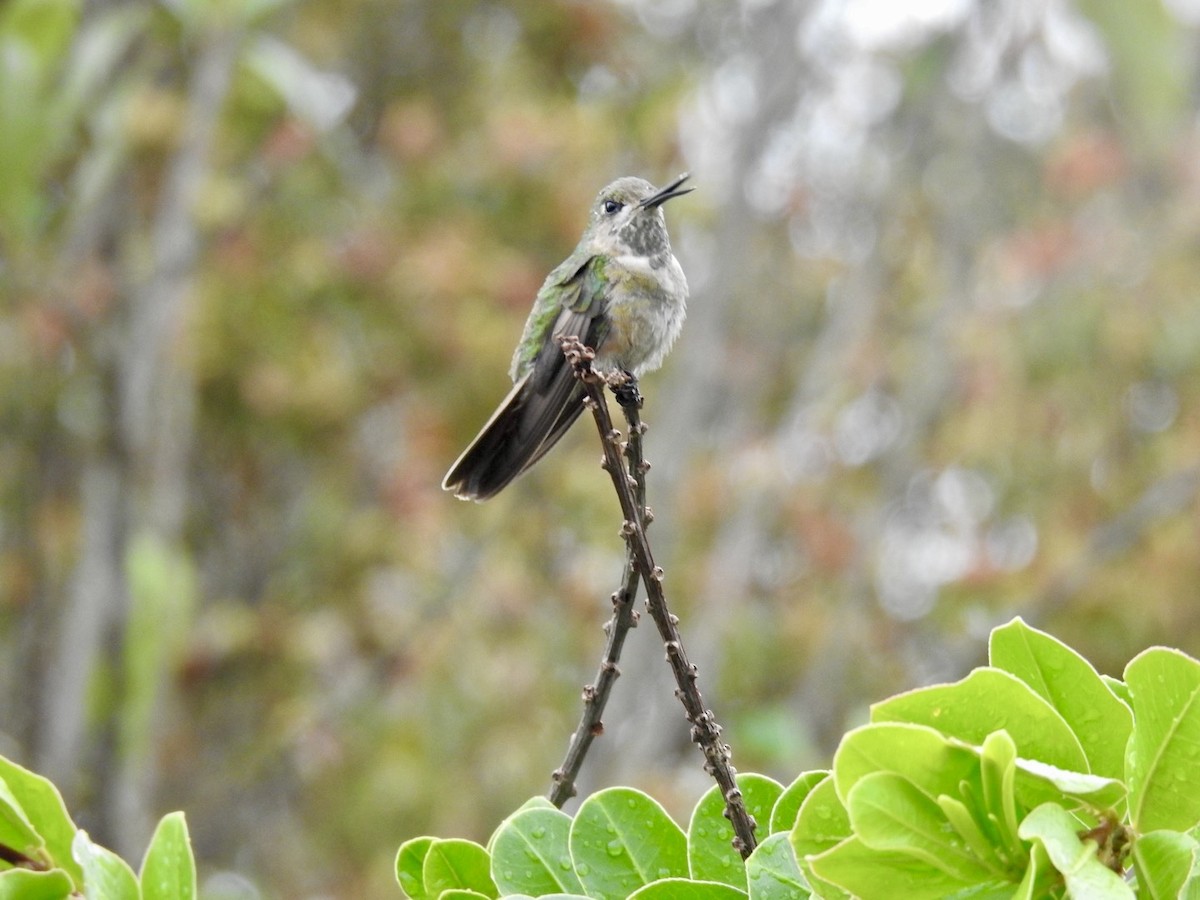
x,y
705,730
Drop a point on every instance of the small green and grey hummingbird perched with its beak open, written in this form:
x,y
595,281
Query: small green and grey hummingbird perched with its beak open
x,y
622,293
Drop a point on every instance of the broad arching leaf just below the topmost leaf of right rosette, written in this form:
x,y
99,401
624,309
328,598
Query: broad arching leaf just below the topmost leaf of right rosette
x,y
987,701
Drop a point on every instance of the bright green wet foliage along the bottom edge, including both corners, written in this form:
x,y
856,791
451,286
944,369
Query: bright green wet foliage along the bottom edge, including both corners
x,y
1031,778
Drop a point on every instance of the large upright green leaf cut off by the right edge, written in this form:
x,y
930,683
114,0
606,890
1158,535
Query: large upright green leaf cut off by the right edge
x,y
1165,754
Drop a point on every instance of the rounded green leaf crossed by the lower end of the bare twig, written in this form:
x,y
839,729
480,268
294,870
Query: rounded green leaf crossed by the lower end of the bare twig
x,y
711,854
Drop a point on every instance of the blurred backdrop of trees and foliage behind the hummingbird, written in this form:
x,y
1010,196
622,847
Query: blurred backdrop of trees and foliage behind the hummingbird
x,y
262,267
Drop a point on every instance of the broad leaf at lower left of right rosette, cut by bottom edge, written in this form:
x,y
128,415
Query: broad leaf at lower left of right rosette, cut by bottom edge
x,y
867,873
